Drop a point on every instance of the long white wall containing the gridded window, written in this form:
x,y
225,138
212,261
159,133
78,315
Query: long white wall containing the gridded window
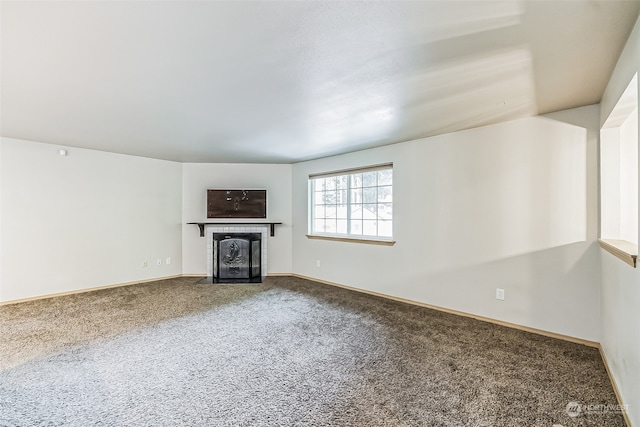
x,y
508,206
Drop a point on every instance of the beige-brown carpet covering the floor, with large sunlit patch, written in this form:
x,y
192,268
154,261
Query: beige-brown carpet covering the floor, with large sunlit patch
x,y
284,352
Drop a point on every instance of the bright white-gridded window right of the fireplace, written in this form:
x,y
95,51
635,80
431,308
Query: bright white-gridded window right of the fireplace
x,y
355,203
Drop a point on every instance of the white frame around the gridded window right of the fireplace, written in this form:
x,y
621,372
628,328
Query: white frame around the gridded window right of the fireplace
x,y
354,238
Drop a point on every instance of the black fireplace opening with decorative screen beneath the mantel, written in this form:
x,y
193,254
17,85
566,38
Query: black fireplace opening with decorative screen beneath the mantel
x,y
237,257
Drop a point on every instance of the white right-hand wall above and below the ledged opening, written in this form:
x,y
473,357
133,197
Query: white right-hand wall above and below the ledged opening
x,y
621,283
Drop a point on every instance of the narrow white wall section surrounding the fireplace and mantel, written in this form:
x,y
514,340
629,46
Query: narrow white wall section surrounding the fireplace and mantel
x,y
198,177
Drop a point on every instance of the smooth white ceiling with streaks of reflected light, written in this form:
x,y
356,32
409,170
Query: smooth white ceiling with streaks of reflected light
x,y
281,82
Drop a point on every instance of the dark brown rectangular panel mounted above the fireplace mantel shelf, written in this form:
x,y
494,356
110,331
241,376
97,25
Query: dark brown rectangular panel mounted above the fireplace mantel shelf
x,y
236,203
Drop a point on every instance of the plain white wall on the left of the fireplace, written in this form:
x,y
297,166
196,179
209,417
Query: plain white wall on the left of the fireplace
x,y
85,220
